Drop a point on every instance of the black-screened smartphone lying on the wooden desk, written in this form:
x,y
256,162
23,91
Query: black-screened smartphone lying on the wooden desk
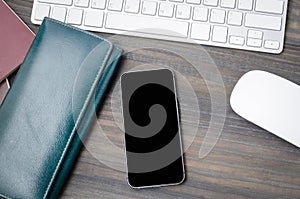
x,y
152,134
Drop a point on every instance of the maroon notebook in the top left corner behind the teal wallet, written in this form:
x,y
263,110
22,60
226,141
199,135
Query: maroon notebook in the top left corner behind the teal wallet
x,y
15,40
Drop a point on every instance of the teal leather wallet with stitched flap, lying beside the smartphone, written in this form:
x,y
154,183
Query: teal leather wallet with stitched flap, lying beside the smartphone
x,y
49,108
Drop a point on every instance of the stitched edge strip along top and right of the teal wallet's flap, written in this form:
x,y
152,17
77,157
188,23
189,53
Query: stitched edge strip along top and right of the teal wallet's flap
x,y
85,103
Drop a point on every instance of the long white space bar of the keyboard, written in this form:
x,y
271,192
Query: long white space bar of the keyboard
x,y
143,24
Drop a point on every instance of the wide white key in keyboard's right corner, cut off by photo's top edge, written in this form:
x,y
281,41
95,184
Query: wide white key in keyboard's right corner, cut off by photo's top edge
x,y
270,6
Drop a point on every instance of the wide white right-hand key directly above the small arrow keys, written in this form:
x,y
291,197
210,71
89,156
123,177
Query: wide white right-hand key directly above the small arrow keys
x,y
263,21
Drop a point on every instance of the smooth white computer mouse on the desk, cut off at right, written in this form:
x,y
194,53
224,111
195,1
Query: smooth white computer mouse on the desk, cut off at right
x,y
269,101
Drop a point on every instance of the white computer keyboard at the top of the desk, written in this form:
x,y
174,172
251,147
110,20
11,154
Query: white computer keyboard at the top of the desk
x,y
256,25
